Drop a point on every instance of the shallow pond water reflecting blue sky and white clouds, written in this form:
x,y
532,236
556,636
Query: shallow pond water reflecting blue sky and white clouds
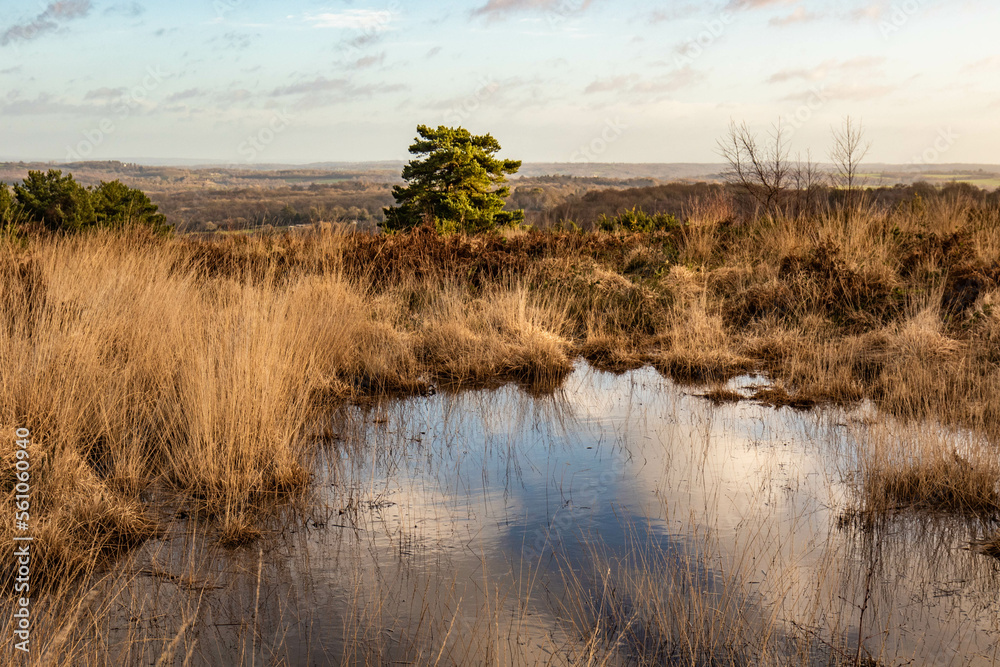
x,y
492,527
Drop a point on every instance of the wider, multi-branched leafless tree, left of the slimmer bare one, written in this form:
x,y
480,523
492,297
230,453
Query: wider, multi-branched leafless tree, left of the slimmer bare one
x,y
762,170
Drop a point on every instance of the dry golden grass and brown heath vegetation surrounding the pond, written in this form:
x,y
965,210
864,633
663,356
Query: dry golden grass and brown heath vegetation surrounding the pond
x,y
187,373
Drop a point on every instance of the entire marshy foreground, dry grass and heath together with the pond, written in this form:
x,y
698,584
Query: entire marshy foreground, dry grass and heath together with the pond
x,y
232,437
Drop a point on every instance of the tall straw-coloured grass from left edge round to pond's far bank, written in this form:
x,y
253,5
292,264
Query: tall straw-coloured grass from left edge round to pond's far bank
x,y
146,371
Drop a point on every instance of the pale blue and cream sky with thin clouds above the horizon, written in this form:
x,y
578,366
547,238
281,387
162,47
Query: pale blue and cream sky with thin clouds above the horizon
x,y
297,82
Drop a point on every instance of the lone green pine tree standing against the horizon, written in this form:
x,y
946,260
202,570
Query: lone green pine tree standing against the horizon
x,y
456,184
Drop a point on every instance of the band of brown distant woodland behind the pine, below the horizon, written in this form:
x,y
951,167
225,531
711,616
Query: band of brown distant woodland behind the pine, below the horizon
x,y
546,201
